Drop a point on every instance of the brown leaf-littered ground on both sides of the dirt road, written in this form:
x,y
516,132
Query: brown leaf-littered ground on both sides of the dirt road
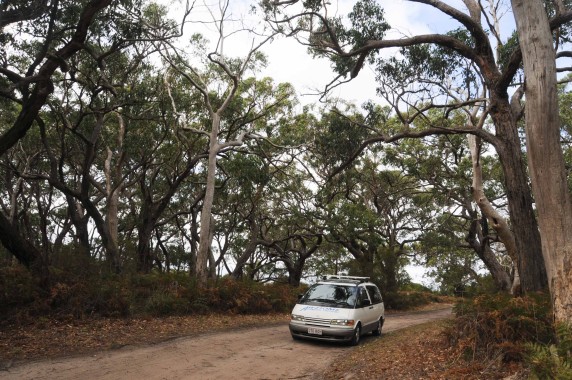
x,y
419,352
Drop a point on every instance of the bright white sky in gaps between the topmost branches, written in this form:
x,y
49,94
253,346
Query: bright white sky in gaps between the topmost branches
x,y
290,62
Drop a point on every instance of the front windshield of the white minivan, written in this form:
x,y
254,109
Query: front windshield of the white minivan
x,y
335,295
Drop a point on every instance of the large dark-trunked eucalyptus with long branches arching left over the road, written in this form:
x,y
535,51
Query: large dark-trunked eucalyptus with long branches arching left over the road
x,y
474,61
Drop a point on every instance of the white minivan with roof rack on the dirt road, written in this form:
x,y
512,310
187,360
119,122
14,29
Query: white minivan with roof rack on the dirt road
x,y
338,308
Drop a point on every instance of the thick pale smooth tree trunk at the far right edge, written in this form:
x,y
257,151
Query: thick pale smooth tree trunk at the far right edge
x,y
545,158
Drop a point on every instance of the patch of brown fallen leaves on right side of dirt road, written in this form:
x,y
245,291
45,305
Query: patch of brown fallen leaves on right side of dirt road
x,y
418,352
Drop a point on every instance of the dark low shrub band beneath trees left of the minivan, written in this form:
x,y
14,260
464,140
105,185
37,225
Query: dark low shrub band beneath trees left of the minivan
x,y
155,294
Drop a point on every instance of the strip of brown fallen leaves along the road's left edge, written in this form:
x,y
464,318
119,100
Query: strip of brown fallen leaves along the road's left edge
x,y
47,338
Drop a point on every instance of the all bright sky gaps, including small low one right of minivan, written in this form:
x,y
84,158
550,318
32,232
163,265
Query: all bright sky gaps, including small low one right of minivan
x,y
289,61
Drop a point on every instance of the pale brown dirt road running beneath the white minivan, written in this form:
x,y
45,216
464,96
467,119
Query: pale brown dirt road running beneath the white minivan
x,y
253,353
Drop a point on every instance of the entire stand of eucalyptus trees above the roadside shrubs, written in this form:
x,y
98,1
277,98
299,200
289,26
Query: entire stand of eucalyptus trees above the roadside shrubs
x,y
133,141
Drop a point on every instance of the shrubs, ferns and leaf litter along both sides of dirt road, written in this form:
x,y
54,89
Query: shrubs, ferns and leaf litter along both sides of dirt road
x,y
491,336
